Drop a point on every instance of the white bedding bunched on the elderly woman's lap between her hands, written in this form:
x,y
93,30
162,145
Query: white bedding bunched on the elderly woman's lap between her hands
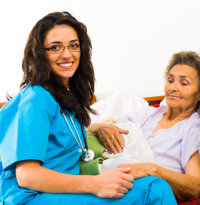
x,y
136,149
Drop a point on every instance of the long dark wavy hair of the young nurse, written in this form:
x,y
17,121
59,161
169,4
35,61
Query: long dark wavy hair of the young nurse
x,y
38,71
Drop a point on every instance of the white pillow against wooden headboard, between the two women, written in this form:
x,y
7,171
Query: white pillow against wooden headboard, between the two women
x,y
116,104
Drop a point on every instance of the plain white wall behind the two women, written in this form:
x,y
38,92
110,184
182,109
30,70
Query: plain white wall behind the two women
x,y
132,39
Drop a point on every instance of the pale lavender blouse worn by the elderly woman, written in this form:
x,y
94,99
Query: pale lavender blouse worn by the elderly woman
x,y
172,147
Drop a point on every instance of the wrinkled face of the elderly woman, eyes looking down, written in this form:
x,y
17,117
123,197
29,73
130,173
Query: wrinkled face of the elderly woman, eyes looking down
x,y
181,88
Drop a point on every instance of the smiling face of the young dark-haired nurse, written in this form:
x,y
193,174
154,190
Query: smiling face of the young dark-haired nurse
x,y
63,64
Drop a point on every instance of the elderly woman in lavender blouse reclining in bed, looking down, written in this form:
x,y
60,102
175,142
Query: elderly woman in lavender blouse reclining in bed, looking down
x,y
172,130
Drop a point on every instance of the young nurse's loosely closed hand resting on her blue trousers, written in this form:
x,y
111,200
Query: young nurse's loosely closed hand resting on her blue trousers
x,y
113,183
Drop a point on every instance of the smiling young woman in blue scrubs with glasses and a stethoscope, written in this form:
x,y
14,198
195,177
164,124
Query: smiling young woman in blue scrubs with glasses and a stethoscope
x,y
42,128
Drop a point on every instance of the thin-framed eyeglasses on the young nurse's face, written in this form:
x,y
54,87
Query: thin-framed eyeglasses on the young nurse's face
x,y
59,48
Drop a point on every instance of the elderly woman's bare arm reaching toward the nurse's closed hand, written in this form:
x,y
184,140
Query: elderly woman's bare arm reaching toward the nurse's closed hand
x,y
185,186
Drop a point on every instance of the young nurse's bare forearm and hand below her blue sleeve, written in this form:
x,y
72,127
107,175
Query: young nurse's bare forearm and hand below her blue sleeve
x,y
111,184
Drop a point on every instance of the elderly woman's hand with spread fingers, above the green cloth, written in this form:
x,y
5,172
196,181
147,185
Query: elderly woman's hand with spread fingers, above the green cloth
x,y
109,135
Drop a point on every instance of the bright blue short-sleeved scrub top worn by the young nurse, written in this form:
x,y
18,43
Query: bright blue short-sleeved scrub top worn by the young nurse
x,y
33,128
